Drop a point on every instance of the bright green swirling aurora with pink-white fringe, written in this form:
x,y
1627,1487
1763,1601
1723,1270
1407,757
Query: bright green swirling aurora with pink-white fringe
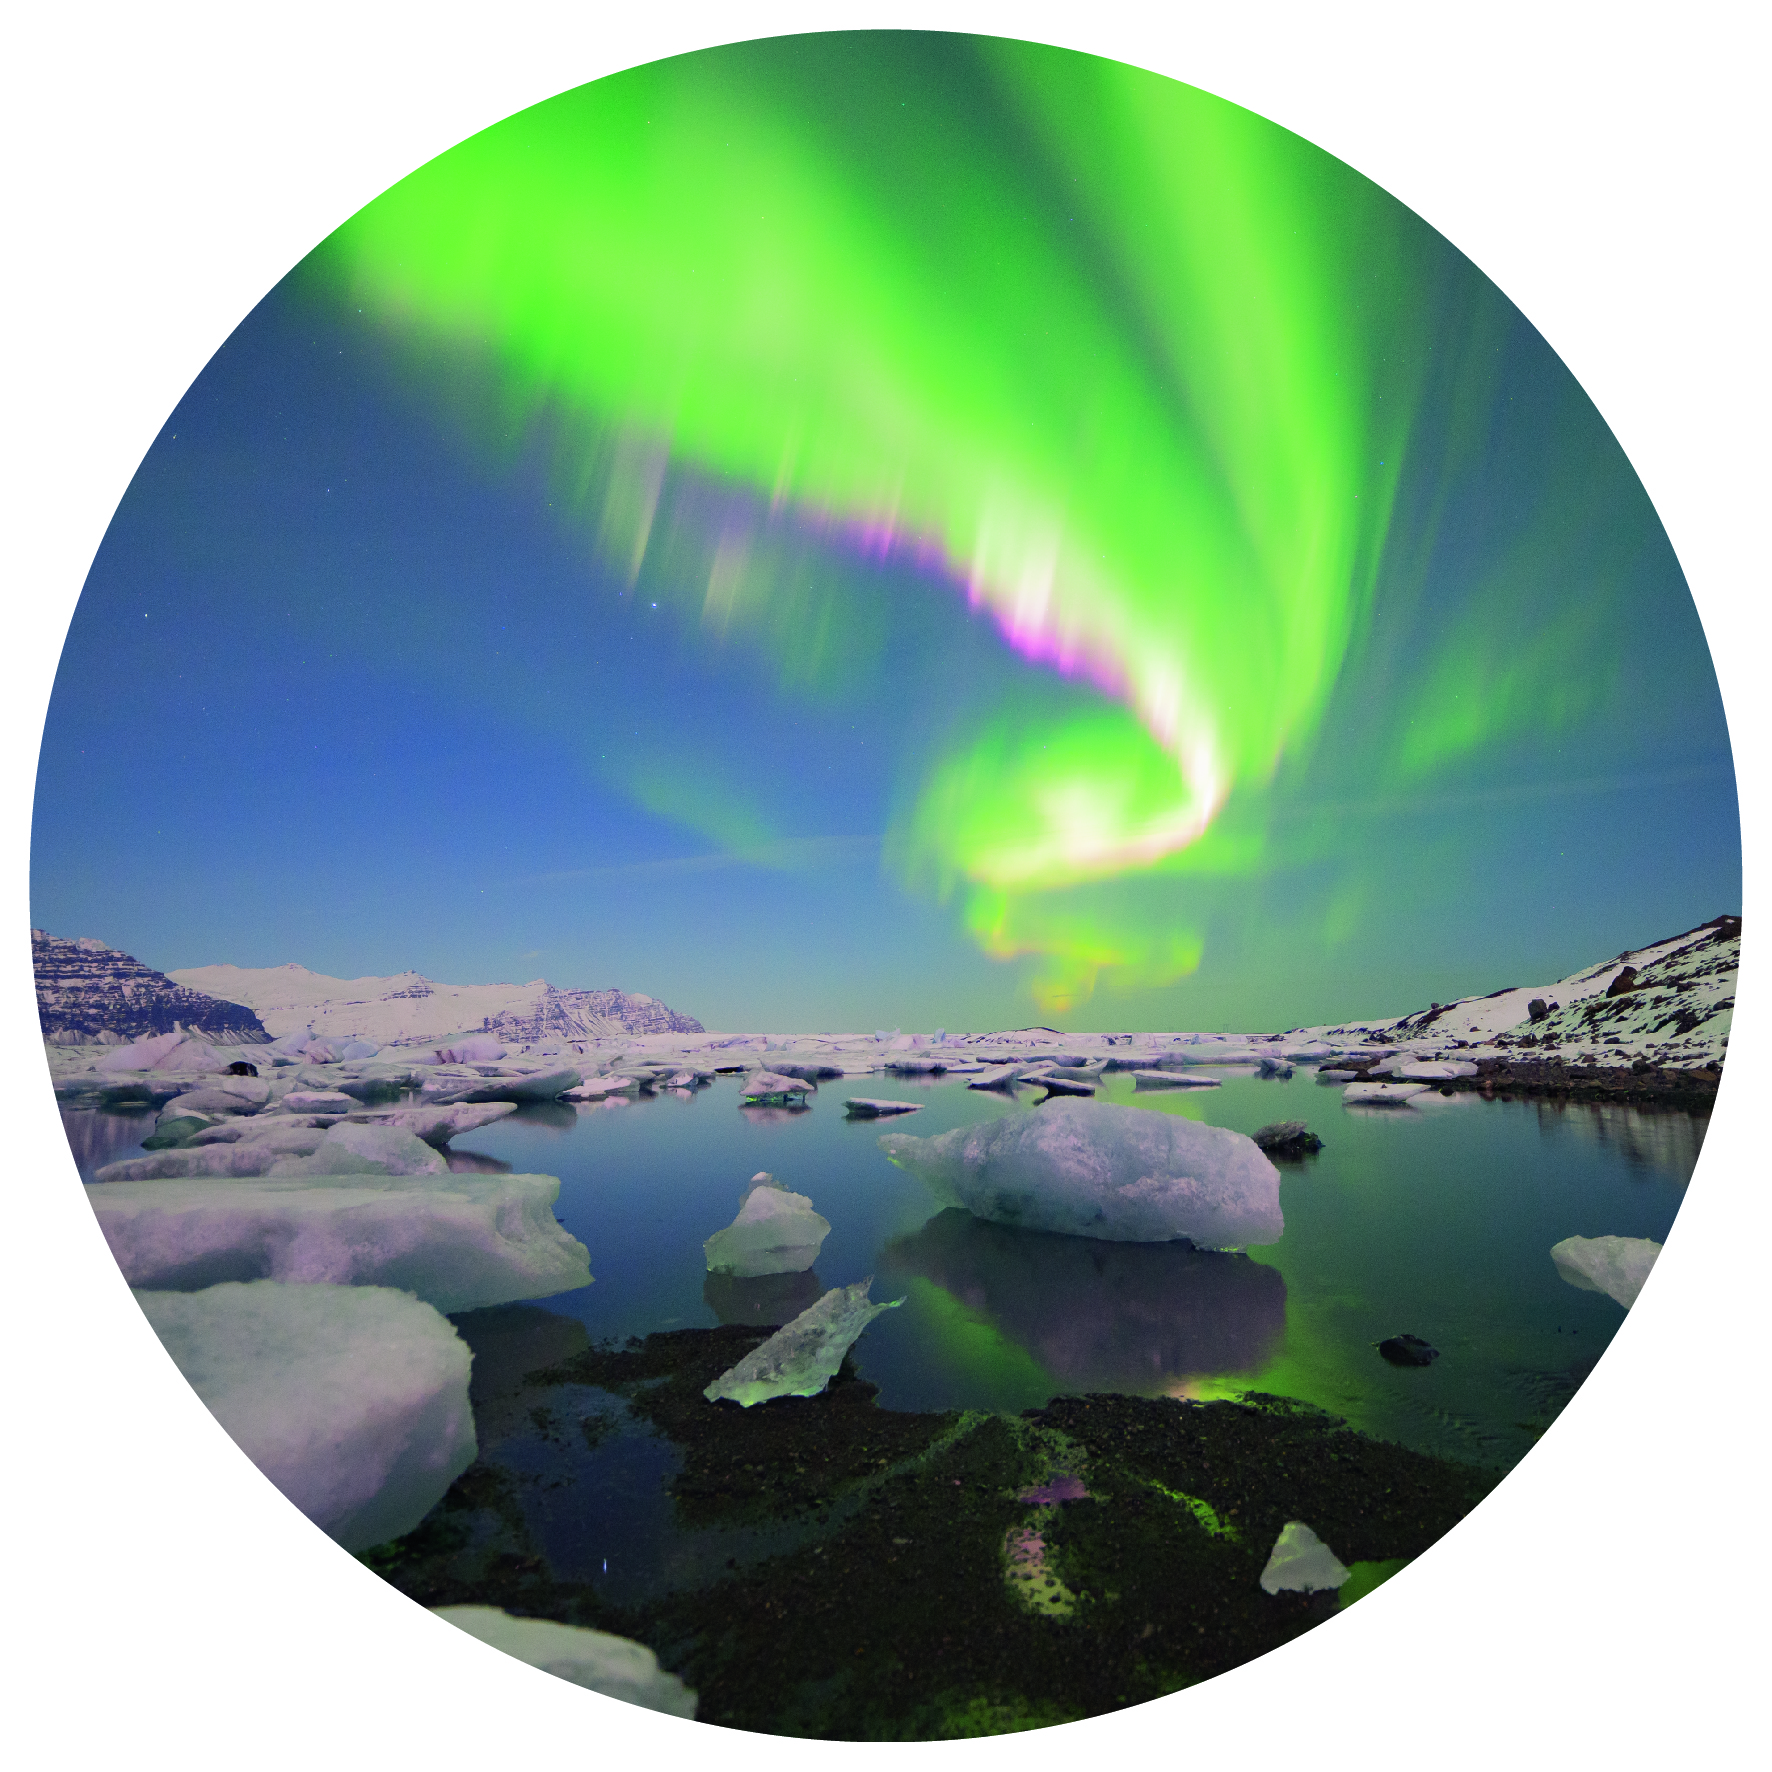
x,y
1142,377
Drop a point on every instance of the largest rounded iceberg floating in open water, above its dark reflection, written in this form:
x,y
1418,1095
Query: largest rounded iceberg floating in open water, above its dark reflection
x,y
1103,1170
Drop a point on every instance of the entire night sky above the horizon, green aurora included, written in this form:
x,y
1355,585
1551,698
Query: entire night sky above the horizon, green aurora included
x,y
1149,566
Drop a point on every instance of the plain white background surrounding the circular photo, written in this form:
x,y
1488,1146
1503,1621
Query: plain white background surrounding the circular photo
x,y
169,164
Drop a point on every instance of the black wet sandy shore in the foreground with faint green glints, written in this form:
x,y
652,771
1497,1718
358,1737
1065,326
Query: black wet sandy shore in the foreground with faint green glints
x,y
871,1599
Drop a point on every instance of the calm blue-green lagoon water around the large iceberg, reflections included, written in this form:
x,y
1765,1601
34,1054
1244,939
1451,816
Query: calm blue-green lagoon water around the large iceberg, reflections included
x,y
1433,1222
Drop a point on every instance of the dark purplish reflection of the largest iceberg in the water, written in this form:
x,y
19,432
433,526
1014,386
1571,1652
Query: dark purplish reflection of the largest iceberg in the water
x,y
1105,1316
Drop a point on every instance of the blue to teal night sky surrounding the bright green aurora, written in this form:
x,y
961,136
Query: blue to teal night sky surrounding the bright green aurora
x,y
352,685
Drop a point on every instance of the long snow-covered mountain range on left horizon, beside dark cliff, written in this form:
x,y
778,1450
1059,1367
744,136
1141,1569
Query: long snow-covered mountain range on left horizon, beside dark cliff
x,y
410,1007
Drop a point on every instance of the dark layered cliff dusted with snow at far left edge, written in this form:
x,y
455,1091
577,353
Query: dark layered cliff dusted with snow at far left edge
x,y
88,991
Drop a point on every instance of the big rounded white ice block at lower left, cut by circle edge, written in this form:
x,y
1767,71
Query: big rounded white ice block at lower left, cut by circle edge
x,y
354,1401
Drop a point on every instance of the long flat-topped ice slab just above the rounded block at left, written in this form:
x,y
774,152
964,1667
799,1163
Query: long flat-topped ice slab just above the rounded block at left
x,y
458,1241
